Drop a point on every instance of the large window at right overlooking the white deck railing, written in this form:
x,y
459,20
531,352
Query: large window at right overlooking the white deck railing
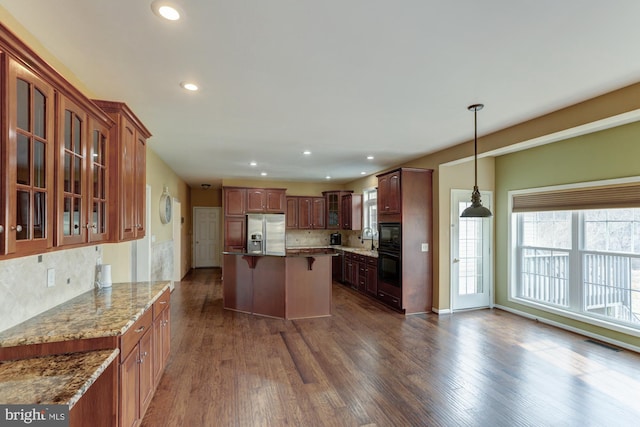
x,y
578,261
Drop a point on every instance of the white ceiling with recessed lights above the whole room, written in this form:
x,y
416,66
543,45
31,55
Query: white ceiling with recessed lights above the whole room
x,y
342,78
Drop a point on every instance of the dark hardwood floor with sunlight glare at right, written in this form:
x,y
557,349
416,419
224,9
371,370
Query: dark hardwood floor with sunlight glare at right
x,y
369,366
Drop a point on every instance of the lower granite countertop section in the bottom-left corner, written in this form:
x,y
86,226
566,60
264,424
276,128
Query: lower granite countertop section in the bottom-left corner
x,y
60,379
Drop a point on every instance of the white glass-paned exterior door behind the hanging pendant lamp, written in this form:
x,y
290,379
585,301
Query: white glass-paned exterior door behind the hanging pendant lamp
x,y
471,274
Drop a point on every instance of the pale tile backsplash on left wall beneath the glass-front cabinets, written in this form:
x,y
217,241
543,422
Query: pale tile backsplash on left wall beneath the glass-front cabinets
x,y
23,282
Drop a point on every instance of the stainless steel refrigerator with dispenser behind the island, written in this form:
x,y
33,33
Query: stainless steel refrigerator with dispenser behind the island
x,y
266,234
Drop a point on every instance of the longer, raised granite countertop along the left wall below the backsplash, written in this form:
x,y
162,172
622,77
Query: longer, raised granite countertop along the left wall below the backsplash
x,y
93,314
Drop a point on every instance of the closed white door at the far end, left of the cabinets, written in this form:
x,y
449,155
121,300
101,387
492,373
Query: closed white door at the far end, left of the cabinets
x,y
206,224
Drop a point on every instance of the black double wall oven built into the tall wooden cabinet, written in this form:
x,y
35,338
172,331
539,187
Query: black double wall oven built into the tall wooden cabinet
x,y
390,253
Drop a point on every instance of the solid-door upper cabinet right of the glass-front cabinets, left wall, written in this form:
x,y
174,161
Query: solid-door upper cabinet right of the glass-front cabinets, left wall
x,y
128,156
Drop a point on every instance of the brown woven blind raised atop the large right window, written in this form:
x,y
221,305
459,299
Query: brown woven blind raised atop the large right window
x,y
599,197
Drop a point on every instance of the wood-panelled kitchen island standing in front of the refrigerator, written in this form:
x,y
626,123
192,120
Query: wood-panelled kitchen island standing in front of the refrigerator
x,y
294,286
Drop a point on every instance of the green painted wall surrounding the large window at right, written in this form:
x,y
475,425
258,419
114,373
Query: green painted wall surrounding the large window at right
x,y
608,154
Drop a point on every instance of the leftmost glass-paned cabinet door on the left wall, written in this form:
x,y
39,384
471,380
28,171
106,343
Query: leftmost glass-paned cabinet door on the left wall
x,y
30,150
